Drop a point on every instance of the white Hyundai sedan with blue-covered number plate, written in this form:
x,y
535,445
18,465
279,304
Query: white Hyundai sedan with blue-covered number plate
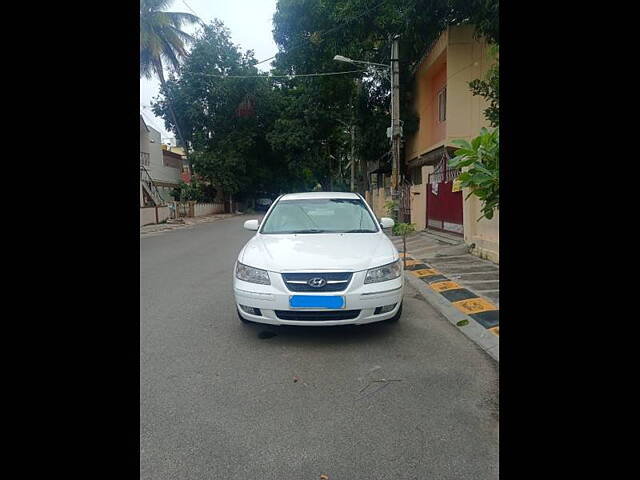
x,y
319,259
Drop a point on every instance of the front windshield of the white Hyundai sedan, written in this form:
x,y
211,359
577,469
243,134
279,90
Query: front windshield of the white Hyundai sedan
x,y
327,215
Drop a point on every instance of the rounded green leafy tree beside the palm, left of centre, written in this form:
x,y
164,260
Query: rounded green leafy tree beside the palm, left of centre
x,y
225,118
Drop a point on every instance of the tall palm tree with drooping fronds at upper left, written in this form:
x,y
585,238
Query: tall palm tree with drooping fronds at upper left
x,y
163,42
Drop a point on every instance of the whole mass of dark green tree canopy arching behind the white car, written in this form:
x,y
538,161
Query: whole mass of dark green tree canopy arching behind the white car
x,y
271,133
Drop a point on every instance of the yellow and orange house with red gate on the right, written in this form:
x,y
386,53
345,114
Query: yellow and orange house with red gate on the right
x,y
447,111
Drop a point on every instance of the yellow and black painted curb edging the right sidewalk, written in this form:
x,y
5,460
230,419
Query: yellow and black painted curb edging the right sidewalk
x,y
469,303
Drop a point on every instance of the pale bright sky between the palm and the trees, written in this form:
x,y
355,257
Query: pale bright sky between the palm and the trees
x,y
250,25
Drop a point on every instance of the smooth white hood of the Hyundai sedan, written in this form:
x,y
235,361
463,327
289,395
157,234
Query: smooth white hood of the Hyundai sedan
x,y
318,251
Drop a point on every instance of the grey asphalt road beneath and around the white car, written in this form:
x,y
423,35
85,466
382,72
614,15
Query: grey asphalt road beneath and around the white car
x,y
221,400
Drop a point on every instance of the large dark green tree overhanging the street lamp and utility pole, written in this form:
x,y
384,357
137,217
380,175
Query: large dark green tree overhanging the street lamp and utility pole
x,y
310,33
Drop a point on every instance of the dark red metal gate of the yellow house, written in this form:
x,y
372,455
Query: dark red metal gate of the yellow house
x,y
444,207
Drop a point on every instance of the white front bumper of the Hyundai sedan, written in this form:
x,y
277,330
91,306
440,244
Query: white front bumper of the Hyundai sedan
x,y
358,296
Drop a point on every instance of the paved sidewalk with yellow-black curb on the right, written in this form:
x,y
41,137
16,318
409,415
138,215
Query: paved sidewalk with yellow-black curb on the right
x,y
460,285
